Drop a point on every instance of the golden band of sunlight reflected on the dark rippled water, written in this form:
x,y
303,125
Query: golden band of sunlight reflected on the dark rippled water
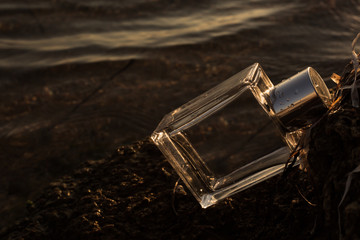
x,y
87,45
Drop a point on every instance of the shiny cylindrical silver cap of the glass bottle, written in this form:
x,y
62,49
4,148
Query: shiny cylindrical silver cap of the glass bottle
x,y
299,100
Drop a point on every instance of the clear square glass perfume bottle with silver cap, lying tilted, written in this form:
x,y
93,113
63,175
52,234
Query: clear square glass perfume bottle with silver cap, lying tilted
x,y
240,132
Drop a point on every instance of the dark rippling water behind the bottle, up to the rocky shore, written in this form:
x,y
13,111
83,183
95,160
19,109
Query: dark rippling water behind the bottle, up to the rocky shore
x,y
79,78
